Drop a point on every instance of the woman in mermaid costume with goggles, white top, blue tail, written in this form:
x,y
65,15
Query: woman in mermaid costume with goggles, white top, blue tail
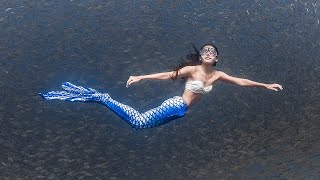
x,y
198,72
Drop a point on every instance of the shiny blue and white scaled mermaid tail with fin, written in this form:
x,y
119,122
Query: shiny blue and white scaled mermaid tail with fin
x,y
170,109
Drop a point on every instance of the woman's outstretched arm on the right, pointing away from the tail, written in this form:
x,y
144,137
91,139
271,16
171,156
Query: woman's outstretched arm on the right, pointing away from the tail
x,y
246,82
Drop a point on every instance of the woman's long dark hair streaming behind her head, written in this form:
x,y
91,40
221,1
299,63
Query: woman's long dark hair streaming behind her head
x,y
192,59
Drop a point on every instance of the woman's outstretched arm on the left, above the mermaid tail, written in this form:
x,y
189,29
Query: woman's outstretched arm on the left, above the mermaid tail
x,y
184,72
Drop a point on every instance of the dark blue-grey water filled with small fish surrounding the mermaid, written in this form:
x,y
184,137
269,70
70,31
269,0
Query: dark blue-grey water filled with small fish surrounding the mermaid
x,y
233,133
